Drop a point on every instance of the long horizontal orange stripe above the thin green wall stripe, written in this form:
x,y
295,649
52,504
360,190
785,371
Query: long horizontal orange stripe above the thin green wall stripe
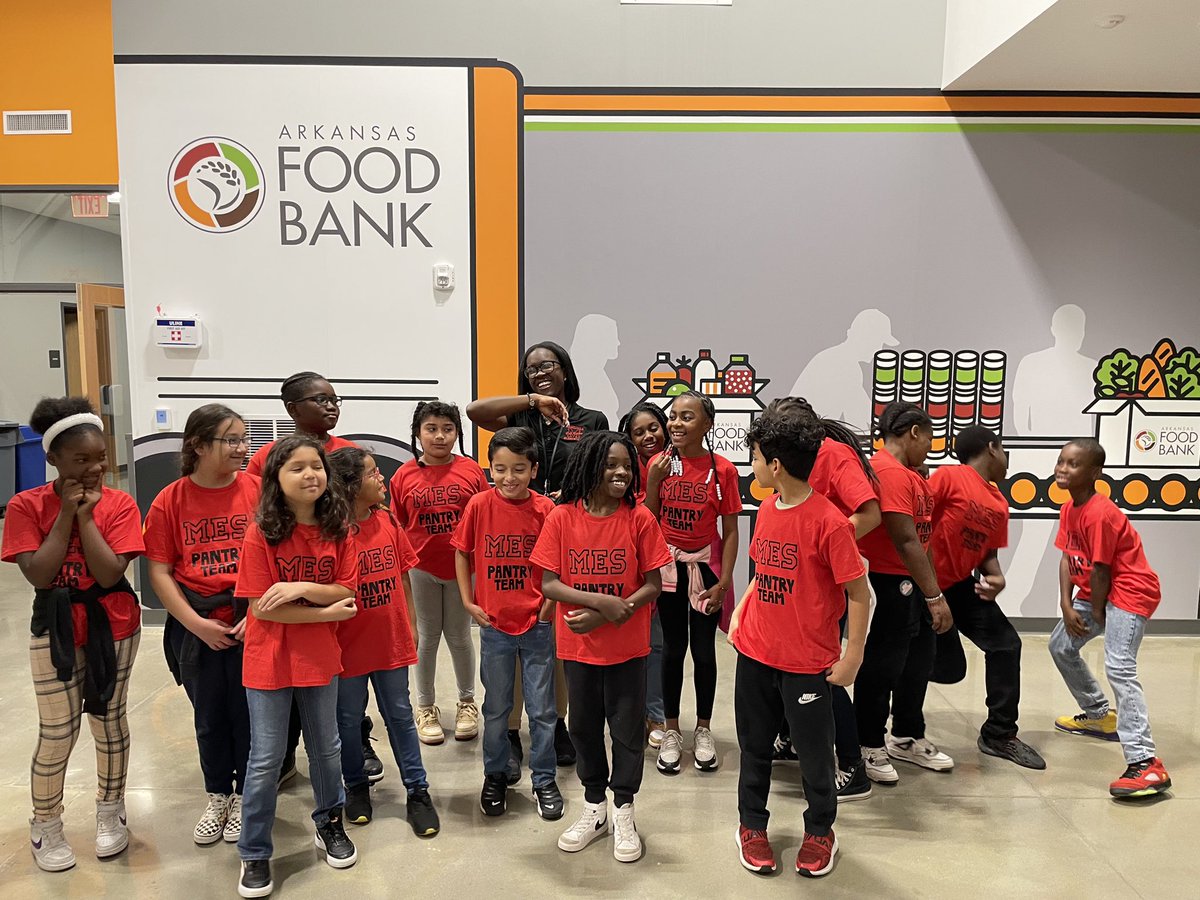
x,y
933,105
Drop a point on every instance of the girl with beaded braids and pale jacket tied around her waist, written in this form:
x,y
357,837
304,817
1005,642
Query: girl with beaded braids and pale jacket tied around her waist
x,y
695,495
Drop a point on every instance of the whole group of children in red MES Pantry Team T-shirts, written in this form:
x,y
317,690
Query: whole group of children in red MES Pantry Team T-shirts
x,y
293,585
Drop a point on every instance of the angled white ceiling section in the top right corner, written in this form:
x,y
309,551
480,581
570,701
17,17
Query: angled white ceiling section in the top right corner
x,y
1157,49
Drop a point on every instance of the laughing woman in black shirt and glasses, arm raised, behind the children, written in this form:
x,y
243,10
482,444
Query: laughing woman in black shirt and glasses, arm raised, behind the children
x,y
548,404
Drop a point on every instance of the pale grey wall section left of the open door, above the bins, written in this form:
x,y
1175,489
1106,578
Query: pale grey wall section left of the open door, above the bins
x,y
33,326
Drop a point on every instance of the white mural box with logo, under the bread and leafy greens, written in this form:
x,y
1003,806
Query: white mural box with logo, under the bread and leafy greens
x,y
1149,434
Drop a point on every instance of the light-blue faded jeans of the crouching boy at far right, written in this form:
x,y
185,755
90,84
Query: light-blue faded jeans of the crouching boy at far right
x,y
1123,638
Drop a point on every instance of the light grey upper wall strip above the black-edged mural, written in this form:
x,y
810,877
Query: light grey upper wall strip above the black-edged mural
x,y
841,44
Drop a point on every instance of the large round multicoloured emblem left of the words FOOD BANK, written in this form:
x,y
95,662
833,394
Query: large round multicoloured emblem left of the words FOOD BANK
x,y
217,185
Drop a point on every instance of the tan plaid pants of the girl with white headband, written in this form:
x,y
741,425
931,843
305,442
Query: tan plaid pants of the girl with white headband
x,y
59,711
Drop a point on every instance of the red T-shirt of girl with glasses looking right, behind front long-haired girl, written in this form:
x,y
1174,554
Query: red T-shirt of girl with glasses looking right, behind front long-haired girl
x,y
380,637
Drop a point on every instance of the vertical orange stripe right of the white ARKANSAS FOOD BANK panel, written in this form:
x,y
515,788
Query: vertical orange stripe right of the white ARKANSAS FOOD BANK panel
x,y
497,236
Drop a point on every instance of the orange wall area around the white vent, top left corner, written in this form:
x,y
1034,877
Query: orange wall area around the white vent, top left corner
x,y
59,56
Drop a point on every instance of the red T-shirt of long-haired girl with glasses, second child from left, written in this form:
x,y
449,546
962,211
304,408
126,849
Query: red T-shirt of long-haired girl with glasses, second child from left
x,y
199,532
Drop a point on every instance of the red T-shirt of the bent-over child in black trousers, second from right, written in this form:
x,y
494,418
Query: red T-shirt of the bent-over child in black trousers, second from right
x,y
970,521
